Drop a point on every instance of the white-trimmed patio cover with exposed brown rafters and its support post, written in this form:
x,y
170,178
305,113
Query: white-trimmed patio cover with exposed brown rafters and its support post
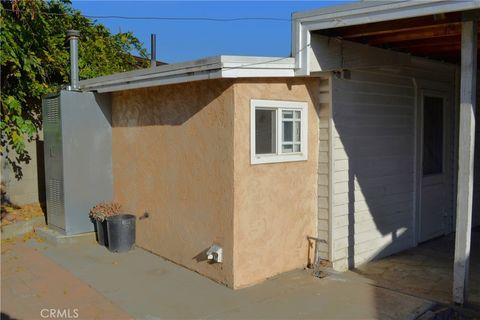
x,y
438,30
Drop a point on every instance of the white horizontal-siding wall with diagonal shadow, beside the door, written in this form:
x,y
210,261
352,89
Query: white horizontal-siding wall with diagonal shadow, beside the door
x,y
374,118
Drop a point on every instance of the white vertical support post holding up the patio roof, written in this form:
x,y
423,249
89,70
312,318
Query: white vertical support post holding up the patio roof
x,y
465,160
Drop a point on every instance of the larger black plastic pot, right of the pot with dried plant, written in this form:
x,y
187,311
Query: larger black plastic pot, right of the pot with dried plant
x,y
121,232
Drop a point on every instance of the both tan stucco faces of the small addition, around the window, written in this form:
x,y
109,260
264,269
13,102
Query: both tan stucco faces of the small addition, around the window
x,y
182,154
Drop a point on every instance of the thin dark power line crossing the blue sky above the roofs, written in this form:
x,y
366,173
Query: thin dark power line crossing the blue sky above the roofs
x,y
167,18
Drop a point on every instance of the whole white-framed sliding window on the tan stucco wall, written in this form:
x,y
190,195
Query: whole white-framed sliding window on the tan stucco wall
x,y
278,131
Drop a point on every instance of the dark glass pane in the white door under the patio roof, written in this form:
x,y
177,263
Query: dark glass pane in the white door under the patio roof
x,y
432,135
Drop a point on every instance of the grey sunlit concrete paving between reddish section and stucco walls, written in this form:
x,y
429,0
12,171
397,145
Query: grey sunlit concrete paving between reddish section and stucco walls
x,y
149,287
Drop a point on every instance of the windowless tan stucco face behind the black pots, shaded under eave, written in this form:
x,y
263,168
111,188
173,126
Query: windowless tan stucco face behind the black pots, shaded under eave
x,y
173,158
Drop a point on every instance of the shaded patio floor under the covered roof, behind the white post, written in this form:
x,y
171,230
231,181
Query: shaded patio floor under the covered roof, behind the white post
x,y
427,270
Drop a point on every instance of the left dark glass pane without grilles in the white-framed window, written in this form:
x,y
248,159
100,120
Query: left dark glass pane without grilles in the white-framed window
x,y
265,131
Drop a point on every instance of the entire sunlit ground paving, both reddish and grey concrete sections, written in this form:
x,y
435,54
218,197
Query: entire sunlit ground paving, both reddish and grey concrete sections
x,y
141,285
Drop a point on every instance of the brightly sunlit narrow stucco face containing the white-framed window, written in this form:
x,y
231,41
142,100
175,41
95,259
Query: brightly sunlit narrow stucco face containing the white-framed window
x,y
275,204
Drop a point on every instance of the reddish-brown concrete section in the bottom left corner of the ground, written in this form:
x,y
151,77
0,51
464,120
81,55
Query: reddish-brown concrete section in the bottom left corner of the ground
x,y
33,286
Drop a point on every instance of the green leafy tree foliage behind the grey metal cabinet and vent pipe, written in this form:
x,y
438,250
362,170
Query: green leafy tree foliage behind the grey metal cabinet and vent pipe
x,y
34,58
